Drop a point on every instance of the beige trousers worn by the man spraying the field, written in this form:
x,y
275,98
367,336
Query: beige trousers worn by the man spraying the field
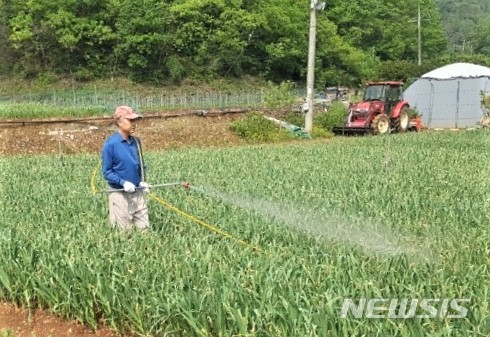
x,y
128,210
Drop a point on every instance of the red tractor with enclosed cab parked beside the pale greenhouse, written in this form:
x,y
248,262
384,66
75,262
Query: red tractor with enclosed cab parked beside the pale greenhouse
x,y
382,110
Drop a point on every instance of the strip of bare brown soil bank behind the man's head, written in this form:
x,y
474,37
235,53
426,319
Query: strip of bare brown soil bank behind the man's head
x,y
87,137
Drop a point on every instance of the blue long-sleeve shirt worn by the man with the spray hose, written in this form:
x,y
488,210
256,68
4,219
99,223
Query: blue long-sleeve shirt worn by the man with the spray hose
x,y
120,161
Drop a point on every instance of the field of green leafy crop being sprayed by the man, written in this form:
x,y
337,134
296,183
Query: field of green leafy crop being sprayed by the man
x,y
404,216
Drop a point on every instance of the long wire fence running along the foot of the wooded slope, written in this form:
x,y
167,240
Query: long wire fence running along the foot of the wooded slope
x,y
162,100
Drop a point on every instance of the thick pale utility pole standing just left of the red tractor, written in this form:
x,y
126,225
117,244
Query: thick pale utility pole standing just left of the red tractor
x,y
310,80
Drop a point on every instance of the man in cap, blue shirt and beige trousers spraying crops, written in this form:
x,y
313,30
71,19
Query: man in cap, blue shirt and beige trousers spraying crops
x,y
124,170
